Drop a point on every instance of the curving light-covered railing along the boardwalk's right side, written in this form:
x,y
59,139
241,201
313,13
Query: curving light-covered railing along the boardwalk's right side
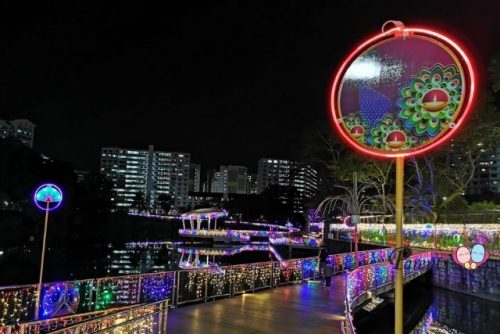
x,y
367,279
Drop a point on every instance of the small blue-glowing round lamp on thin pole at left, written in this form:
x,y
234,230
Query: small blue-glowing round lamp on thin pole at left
x,y
47,198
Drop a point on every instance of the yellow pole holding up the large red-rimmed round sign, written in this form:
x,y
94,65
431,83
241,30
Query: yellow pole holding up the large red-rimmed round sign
x,y
398,324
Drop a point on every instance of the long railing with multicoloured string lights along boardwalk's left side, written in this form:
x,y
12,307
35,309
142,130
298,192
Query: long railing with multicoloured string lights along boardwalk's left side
x,y
75,299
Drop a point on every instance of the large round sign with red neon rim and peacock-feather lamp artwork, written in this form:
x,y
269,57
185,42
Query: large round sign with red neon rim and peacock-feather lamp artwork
x,y
402,92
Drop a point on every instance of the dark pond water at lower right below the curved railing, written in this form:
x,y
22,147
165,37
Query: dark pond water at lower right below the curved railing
x,y
431,310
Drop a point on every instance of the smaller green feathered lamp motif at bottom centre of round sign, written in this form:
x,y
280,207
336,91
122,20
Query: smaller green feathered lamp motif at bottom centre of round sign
x,y
388,134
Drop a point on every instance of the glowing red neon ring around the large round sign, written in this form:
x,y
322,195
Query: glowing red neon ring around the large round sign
x,y
468,101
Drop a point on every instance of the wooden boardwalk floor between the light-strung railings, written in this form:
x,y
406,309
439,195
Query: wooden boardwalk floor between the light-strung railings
x,y
301,308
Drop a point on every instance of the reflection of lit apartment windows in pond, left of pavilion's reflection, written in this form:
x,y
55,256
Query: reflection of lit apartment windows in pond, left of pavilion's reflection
x,y
142,257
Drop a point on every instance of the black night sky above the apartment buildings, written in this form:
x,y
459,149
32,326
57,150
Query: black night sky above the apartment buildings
x,y
229,82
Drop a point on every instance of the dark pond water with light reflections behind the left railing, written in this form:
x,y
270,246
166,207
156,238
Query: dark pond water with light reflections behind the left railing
x,y
21,266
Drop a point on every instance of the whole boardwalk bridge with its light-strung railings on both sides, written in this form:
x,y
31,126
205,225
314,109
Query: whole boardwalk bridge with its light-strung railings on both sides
x,y
138,303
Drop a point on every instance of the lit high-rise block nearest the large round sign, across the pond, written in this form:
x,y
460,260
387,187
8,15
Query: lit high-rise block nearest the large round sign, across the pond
x,y
288,175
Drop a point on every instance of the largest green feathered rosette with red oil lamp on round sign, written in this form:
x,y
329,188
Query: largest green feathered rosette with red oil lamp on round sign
x,y
431,99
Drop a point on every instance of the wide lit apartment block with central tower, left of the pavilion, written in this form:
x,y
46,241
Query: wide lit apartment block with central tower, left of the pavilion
x,y
147,172
